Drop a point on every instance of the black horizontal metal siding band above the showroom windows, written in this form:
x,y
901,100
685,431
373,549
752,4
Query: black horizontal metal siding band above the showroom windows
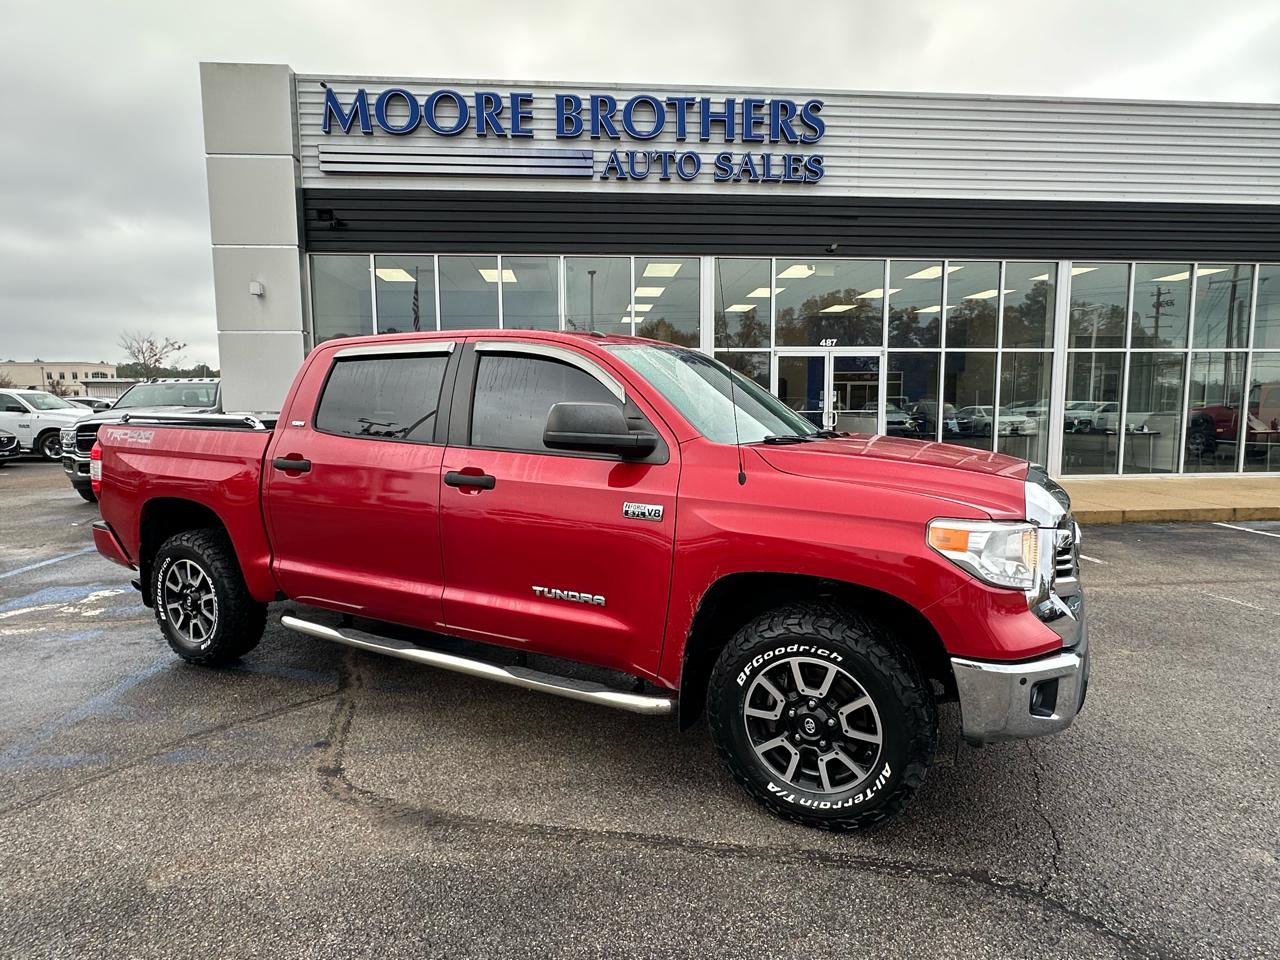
x,y
483,222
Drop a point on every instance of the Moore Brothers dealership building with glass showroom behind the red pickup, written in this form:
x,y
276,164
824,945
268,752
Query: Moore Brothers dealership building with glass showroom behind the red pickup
x,y
1092,285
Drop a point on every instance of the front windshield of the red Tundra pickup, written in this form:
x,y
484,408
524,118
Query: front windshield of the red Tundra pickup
x,y
700,388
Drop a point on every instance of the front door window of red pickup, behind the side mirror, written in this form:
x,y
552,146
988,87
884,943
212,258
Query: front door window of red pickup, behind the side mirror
x,y
515,395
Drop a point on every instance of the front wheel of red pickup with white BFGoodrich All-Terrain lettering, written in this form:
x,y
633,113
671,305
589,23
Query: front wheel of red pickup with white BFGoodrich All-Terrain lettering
x,y
822,716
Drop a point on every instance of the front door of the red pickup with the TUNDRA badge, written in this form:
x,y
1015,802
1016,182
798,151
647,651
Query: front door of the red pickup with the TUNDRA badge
x,y
541,547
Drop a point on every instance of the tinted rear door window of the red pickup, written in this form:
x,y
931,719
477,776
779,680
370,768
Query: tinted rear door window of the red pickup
x,y
385,397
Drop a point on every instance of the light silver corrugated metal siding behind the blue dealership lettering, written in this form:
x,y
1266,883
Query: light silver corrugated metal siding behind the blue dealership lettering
x,y
884,145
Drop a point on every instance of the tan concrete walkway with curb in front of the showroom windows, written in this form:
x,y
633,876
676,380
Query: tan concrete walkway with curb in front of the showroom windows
x,y
1176,499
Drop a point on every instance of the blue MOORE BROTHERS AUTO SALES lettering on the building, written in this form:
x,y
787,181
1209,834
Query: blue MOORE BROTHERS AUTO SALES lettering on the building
x,y
643,117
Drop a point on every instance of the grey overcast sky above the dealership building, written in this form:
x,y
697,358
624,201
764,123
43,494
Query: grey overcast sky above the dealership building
x,y
104,220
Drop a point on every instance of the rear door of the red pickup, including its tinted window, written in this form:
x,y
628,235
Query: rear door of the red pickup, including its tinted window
x,y
356,527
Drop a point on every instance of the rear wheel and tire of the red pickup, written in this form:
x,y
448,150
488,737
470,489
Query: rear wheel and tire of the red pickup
x,y
202,602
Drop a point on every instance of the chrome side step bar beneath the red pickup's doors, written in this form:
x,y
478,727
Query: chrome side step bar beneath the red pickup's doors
x,y
524,678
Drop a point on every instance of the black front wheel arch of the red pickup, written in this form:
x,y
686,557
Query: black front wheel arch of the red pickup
x,y
737,600
